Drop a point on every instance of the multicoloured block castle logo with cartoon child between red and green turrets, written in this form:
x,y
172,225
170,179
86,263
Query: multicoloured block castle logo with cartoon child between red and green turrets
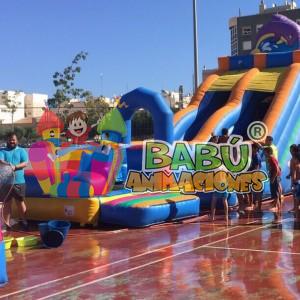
x,y
78,168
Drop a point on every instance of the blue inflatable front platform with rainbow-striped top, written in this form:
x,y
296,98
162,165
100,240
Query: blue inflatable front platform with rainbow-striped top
x,y
144,209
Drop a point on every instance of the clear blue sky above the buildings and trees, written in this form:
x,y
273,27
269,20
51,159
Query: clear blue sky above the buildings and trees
x,y
131,43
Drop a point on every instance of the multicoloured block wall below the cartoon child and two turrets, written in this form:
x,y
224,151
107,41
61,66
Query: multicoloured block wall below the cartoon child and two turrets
x,y
75,172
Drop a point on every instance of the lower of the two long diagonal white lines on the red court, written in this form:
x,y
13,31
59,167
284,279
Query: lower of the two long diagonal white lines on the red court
x,y
153,262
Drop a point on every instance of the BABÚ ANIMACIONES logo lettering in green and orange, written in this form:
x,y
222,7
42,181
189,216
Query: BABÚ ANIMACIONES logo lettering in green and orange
x,y
203,167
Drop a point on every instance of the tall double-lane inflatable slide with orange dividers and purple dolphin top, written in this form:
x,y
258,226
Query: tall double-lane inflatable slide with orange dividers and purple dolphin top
x,y
259,87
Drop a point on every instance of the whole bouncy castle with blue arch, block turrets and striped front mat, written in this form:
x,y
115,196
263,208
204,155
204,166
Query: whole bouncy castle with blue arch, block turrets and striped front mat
x,y
73,180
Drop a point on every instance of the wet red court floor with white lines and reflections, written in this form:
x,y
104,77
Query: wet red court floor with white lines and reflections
x,y
252,258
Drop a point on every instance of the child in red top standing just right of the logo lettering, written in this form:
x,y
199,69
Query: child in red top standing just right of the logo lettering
x,y
274,176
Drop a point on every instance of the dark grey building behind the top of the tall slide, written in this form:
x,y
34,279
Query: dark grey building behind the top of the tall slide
x,y
243,29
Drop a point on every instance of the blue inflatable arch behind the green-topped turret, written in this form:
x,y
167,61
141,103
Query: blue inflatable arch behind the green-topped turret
x,y
161,113
